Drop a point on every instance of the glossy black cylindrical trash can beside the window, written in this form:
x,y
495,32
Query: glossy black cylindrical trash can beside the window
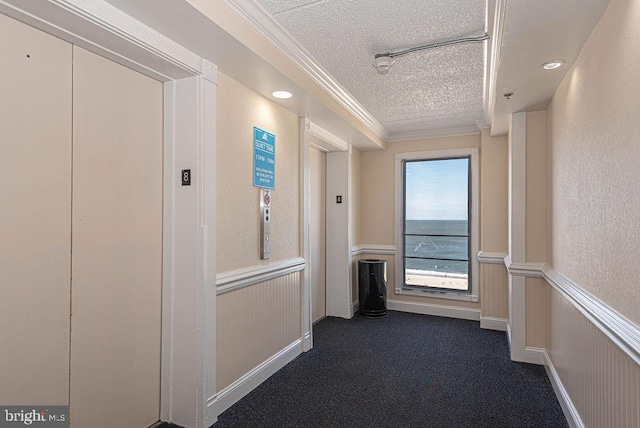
x,y
372,288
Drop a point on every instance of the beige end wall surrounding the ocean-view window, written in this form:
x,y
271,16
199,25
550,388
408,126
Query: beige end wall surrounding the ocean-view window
x,y
377,182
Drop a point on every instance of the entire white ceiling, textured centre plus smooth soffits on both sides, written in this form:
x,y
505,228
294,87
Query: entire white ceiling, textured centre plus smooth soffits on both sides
x,y
429,93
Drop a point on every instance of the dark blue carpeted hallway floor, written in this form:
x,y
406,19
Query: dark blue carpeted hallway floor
x,y
405,370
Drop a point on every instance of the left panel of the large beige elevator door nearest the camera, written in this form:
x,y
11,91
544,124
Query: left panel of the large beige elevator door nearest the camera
x,y
35,215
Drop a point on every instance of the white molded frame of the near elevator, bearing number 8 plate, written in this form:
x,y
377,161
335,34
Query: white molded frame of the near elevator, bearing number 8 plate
x,y
189,80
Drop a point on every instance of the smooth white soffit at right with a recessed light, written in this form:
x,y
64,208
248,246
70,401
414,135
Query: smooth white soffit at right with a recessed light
x,y
532,34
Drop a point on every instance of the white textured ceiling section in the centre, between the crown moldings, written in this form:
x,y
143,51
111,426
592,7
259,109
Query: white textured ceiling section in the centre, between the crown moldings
x,y
425,91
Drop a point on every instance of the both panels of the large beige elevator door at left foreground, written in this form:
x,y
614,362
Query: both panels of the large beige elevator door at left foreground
x,y
81,231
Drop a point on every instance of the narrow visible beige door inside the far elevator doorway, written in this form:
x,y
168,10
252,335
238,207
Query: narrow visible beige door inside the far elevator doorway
x,y
317,234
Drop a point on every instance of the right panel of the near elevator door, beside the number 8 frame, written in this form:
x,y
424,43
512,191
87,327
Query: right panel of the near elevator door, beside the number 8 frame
x,y
117,244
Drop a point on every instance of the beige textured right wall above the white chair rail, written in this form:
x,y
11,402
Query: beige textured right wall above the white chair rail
x,y
594,147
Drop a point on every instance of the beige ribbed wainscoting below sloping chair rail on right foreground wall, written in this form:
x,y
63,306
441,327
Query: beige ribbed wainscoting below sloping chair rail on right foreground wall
x,y
600,382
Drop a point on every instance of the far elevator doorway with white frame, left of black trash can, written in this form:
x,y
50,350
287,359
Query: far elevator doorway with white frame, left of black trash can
x,y
327,242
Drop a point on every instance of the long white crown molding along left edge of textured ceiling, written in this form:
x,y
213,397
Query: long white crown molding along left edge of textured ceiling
x,y
266,26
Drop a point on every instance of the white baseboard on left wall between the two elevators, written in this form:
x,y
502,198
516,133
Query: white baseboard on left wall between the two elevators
x,y
247,383
